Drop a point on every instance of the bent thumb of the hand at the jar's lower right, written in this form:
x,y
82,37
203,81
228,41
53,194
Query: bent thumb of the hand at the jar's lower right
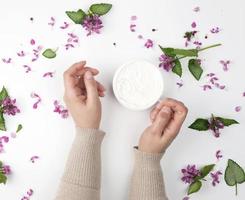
x,y
162,120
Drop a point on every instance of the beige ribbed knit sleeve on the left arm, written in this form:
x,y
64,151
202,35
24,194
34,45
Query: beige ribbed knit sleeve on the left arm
x,y
81,179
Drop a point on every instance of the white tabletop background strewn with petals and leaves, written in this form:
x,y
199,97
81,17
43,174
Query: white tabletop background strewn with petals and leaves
x,y
47,135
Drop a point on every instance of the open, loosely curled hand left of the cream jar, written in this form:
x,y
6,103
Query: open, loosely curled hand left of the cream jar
x,y
82,94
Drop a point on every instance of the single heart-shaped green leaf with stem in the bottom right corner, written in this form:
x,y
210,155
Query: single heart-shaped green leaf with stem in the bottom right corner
x,y
234,174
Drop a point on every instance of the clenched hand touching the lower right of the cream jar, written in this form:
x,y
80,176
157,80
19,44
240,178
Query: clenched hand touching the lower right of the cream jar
x,y
167,118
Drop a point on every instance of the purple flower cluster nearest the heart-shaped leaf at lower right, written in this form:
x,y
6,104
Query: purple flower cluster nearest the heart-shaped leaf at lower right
x,y
189,173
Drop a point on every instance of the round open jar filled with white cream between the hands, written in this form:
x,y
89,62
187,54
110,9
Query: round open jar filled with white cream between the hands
x,y
138,85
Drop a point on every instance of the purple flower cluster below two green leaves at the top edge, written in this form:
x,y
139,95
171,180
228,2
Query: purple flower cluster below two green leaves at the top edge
x,y
92,24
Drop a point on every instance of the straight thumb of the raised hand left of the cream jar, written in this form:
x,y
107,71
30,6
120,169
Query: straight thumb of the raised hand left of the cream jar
x,y
91,86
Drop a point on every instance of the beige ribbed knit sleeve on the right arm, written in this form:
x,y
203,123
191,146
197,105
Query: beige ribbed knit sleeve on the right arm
x,y
147,179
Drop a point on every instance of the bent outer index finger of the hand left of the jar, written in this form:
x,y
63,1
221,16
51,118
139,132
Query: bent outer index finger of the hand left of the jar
x,y
69,75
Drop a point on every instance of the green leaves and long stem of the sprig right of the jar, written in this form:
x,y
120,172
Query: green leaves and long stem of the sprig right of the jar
x,y
194,64
